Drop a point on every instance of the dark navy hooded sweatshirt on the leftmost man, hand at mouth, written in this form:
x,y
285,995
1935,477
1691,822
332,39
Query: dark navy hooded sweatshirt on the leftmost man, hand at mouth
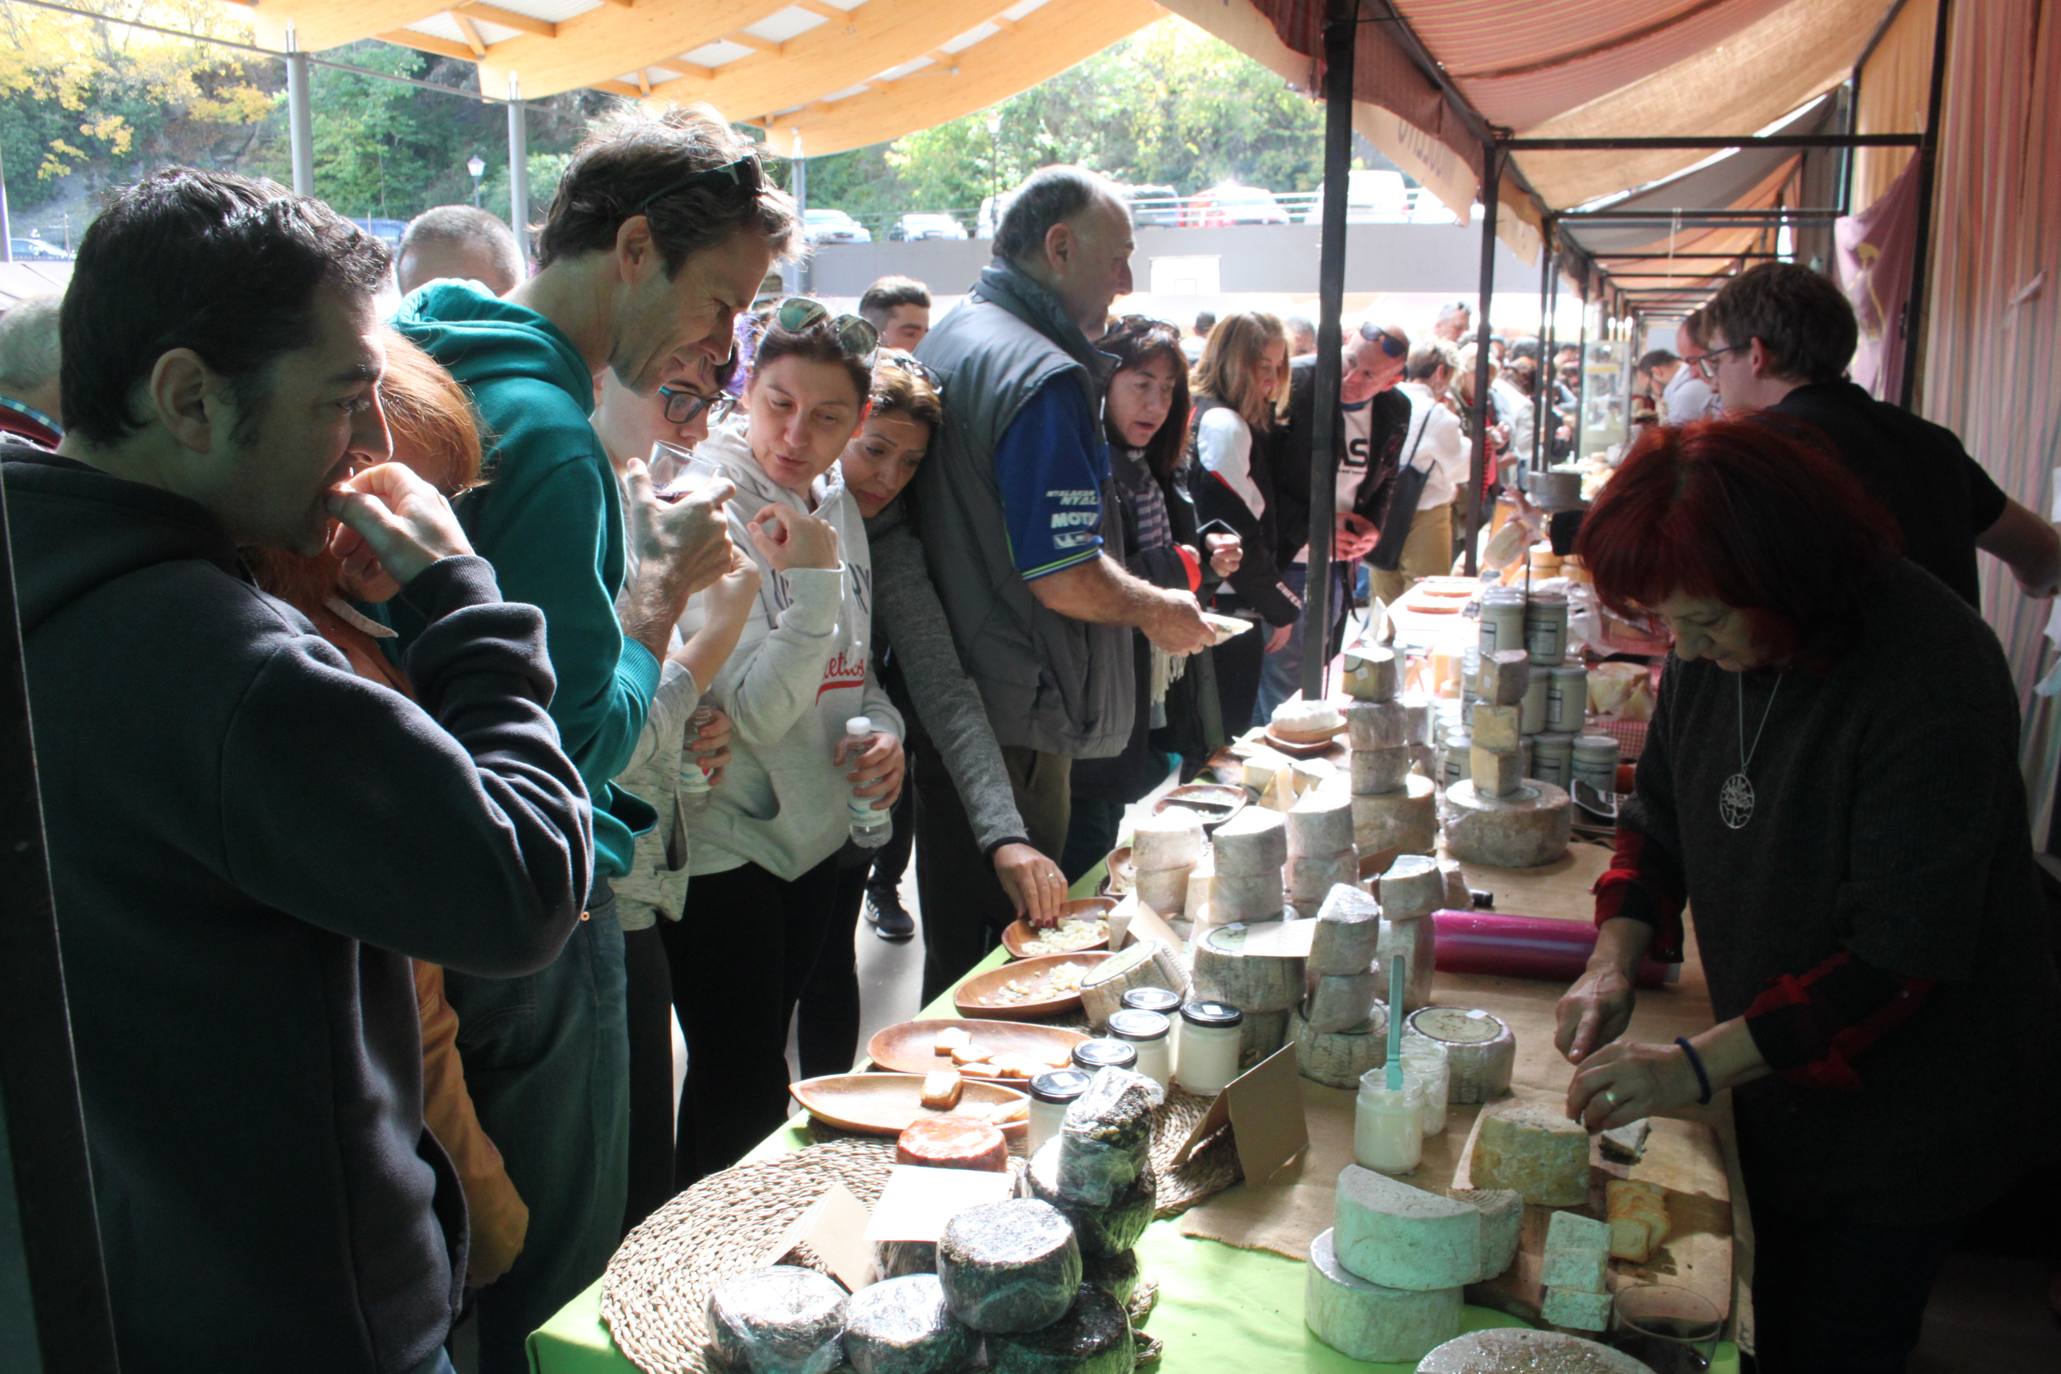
x,y
246,846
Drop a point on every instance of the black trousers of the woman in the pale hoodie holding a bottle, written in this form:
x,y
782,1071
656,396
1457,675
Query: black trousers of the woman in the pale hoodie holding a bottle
x,y
739,963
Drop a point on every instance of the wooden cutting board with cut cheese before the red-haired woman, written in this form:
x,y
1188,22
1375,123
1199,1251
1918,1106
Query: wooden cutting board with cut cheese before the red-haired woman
x,y
1687,1163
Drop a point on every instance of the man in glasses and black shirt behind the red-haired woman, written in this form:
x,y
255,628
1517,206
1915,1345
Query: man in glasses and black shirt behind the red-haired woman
x,y
1780,343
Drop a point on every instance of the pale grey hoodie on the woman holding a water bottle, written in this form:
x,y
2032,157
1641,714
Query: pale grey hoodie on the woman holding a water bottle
x,y
797,675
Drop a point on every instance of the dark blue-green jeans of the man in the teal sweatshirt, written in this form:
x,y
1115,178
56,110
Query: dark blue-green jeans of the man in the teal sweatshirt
x,y
547,1066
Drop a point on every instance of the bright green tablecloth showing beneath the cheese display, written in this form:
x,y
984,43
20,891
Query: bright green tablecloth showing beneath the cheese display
x,y
1221,1307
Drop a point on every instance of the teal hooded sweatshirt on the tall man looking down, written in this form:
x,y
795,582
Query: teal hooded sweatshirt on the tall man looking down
x,y
549,520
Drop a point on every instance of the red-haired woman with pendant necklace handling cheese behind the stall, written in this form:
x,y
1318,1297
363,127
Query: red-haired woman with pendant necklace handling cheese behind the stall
x,y
1831,786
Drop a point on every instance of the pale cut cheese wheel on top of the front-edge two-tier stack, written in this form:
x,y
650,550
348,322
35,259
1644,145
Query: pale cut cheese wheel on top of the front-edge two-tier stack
x,y
1403,1237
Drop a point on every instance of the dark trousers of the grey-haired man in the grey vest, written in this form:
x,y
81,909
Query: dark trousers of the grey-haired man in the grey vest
x,y
964,905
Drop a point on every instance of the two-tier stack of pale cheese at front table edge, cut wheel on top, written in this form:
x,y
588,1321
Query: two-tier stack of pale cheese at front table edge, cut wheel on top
x,y
1386,1282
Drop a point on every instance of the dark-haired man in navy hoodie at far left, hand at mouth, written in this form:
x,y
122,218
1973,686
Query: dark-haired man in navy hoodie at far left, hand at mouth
x,y
248,839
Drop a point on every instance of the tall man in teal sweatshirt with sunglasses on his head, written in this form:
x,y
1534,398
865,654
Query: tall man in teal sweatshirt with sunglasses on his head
x,y
658,236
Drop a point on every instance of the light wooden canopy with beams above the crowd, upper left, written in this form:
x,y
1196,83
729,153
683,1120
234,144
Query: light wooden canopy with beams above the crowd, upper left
x,y
817,75
